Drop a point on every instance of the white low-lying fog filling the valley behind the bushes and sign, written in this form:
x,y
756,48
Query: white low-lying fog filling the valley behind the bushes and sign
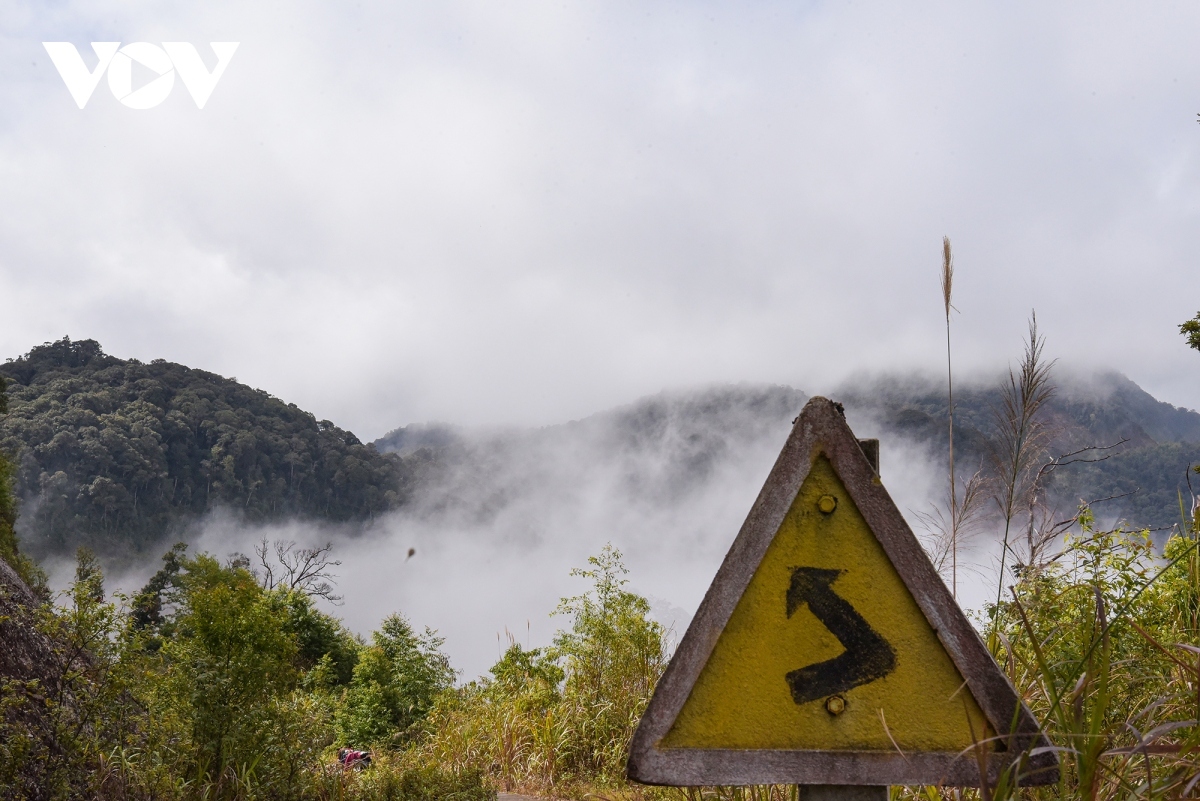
x,y
668,480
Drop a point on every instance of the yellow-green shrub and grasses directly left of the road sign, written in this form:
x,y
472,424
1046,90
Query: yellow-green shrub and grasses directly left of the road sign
x,y
560,721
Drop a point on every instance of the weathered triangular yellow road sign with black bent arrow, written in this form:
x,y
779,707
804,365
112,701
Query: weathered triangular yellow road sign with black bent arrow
x,y
830,653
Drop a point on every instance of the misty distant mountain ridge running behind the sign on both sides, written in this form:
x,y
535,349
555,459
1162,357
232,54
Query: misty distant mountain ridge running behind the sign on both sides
x,y
687,433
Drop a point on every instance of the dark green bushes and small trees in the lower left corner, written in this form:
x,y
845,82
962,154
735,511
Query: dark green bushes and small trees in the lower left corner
x,y
207,686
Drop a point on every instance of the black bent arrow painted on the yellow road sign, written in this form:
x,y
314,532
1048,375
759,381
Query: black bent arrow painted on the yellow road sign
x,y
867,658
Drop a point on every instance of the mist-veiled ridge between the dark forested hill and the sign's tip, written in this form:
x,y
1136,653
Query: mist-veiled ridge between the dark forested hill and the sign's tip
x,y
656,451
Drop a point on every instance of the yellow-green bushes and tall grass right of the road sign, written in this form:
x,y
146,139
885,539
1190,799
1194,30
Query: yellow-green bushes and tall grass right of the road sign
x,y
1101,643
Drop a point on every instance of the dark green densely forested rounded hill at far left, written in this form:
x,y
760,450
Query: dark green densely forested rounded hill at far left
x,y
116,454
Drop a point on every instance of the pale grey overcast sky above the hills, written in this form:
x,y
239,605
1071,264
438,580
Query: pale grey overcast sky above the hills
x,y
525,213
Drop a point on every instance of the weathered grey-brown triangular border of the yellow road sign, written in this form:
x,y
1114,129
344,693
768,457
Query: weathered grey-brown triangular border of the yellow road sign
x,y
823,429
